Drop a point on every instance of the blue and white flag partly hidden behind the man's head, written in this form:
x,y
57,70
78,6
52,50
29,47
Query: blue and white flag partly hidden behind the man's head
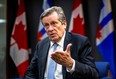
x,y
41,31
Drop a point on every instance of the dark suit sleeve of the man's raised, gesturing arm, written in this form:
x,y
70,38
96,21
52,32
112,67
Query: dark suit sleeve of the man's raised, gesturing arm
x,y
84,65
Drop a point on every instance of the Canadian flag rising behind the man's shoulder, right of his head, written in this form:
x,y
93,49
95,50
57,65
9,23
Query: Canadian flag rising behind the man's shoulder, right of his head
x,y
77,19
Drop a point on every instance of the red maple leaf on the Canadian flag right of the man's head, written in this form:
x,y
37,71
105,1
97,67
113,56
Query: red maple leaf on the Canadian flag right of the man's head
x,y
78,26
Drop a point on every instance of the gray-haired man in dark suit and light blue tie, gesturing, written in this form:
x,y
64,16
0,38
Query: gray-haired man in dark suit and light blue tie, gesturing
x,y
73,55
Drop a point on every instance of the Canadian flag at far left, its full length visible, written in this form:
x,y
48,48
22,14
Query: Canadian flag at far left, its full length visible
x,y
19,44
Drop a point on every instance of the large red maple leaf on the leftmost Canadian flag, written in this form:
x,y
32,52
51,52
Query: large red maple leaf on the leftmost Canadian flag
x,y
20,36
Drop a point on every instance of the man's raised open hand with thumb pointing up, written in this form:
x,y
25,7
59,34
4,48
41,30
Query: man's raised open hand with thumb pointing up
x,y
63,57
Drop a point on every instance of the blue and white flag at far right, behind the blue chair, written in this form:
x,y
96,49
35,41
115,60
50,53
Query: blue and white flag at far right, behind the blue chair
x,y
105,36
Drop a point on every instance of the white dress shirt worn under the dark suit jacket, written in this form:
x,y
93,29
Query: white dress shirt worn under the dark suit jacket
x,y
58,73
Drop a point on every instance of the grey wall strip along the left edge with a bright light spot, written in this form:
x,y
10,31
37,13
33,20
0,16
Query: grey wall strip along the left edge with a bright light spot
x,y
2,39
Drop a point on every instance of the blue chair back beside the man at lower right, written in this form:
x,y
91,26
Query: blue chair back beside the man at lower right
x,y
103,68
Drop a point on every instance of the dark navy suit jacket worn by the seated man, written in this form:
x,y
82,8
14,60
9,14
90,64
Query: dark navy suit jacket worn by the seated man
x,y
80,52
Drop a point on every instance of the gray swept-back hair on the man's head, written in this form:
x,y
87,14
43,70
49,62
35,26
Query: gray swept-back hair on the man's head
x,y
56,9
